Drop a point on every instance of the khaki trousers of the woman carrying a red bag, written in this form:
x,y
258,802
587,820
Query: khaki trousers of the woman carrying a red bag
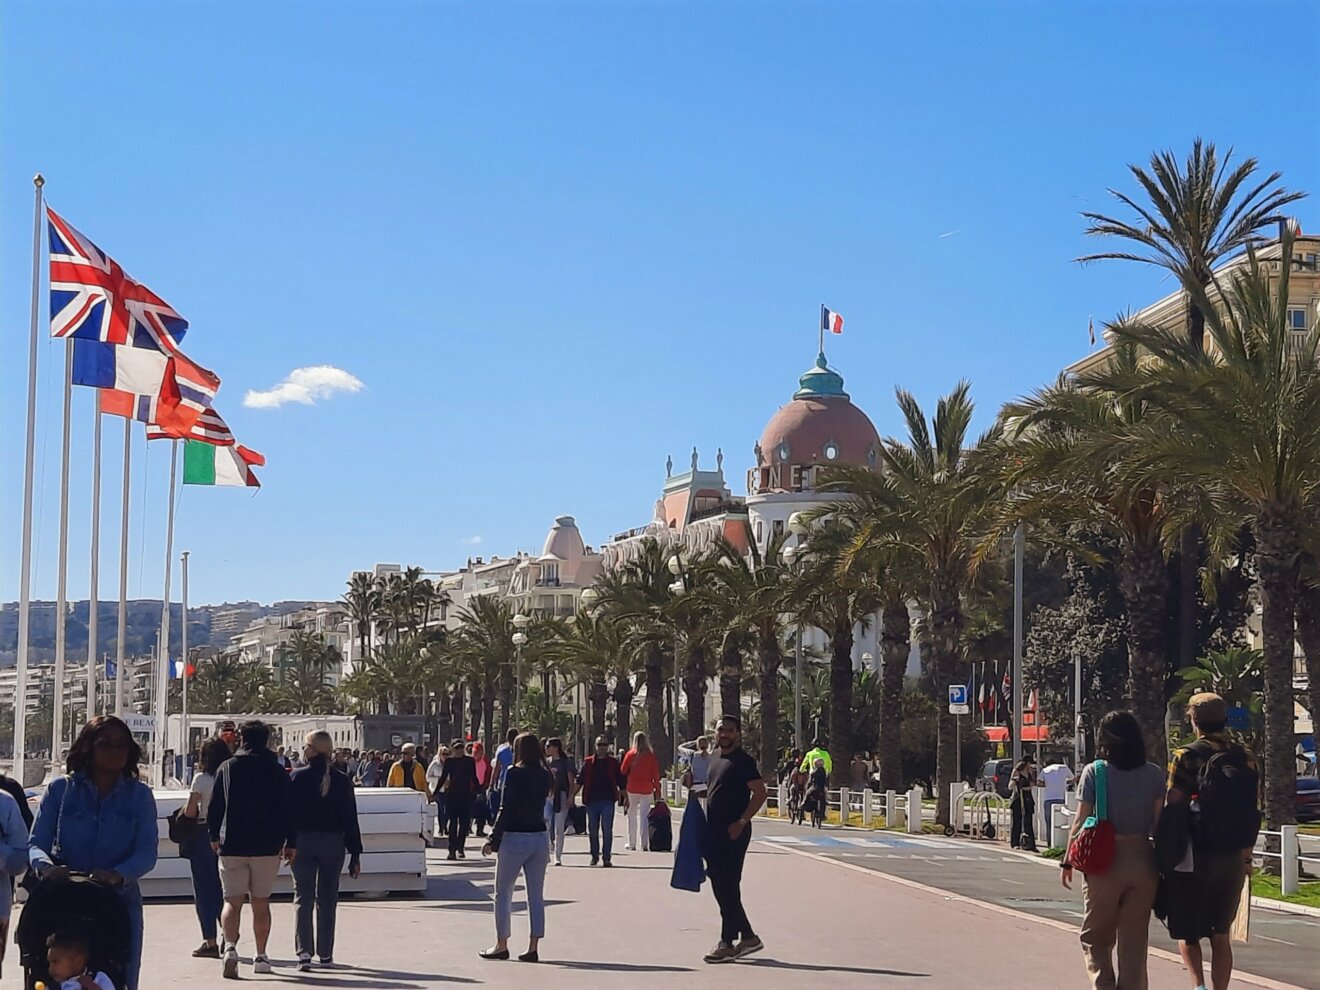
x,y
1119,911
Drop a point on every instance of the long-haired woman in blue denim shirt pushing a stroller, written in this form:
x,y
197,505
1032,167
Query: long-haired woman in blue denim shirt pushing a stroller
x,y
101,820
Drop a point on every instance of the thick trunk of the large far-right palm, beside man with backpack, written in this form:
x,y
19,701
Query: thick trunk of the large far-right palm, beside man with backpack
x,y
1278,548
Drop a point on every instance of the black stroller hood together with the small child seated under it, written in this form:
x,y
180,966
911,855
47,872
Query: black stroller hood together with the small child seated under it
x,y
75,927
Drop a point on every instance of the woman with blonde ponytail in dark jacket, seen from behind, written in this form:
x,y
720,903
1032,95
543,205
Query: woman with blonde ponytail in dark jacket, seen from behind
x,y
325,826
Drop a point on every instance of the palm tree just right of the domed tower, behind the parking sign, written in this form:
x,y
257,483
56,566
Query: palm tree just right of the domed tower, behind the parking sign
x,y
933,502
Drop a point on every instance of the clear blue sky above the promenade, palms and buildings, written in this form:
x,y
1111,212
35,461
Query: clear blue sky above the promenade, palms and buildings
x,y
559,242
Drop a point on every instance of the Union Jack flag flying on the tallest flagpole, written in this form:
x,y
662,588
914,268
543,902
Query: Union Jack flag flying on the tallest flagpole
x,y
92,298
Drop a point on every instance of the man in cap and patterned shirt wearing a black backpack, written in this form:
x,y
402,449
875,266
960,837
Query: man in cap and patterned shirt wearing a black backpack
x,y
1215,785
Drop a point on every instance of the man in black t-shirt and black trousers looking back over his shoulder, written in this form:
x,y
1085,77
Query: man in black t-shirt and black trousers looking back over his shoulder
x,y
736,793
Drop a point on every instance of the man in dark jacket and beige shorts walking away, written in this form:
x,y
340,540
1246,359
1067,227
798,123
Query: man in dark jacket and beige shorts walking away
x,y
250,820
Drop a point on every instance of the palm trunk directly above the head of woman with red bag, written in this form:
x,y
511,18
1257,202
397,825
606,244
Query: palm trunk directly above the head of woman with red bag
x,y
1144,583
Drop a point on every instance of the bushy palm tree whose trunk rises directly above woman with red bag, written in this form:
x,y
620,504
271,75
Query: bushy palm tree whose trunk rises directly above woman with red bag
x,y
1070,453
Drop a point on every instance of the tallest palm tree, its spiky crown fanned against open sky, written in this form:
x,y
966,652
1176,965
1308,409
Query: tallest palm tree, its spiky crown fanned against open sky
x,y
1199,216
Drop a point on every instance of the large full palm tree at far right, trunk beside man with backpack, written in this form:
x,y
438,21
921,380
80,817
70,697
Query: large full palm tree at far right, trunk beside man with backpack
x,y
1244,430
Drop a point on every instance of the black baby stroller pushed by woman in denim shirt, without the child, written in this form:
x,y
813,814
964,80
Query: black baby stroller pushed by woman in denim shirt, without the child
x,y
84,905
